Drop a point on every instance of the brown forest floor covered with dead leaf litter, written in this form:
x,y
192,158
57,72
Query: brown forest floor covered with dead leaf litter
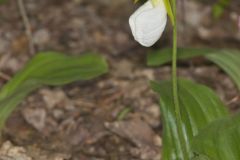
x,y
84,120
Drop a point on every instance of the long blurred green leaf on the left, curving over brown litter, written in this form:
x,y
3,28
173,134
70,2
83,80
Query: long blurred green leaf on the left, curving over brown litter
x,y
48,68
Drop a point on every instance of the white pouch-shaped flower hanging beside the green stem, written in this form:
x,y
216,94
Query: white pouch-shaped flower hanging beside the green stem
x,y
148,23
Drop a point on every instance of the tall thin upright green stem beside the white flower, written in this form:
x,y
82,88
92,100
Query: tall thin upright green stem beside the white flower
x,y
175,86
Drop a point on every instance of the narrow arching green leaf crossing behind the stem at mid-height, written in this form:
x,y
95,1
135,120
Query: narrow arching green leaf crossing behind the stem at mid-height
x,y
228,60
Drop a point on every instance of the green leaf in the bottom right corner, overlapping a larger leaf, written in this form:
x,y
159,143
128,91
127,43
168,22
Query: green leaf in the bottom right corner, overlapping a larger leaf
x,y
220,140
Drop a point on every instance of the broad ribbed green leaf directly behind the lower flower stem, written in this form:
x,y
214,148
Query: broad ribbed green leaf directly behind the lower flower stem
x,y
199,107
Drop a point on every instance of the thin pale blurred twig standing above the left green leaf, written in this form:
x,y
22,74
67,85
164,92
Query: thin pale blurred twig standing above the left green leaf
x,y
27,25
